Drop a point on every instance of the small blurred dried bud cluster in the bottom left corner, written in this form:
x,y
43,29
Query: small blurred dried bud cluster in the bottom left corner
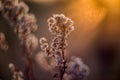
x,y
17,74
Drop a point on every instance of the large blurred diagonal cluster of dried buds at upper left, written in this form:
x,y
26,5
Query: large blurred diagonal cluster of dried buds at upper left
x,y
16,13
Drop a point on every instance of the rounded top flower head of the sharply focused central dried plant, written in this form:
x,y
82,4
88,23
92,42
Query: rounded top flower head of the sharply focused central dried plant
x,y
58,24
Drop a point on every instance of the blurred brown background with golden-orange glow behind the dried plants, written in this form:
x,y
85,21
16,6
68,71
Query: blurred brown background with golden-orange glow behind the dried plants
x,y
96,38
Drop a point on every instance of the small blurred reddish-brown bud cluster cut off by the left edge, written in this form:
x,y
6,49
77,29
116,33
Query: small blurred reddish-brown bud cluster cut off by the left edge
x,y
3,42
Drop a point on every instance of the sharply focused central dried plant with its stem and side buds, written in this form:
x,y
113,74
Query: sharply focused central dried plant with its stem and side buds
x,y
60,26
